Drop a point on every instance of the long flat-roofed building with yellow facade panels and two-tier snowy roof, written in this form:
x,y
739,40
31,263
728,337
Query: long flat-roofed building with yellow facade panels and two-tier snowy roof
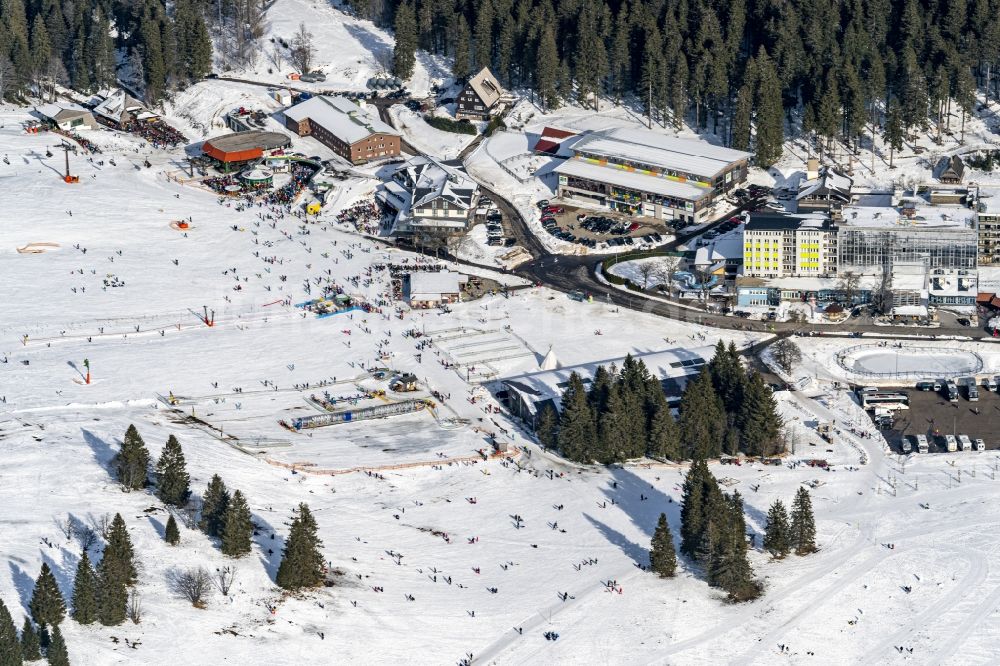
x,y
640,172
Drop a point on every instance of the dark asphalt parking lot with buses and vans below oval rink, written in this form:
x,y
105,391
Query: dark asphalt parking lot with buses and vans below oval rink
x,y
932,415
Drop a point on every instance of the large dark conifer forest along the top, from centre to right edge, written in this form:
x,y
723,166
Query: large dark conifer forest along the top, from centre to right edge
x,y
725,65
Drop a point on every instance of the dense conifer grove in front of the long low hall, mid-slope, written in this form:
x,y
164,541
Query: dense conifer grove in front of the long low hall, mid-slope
x,y
624,414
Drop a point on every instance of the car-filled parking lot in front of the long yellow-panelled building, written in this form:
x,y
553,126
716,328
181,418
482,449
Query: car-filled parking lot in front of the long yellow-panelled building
x,y
589,227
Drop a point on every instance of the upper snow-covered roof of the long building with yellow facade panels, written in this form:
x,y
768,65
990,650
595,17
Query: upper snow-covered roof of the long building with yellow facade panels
x,y
661,152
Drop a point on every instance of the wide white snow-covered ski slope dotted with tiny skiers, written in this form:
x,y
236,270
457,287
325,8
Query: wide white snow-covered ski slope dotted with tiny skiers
x,y
845,604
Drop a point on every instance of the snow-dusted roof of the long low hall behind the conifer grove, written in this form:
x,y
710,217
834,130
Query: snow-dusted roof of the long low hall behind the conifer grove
x,y
671,364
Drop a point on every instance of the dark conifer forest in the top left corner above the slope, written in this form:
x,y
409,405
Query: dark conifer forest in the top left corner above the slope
x,y
83,44
